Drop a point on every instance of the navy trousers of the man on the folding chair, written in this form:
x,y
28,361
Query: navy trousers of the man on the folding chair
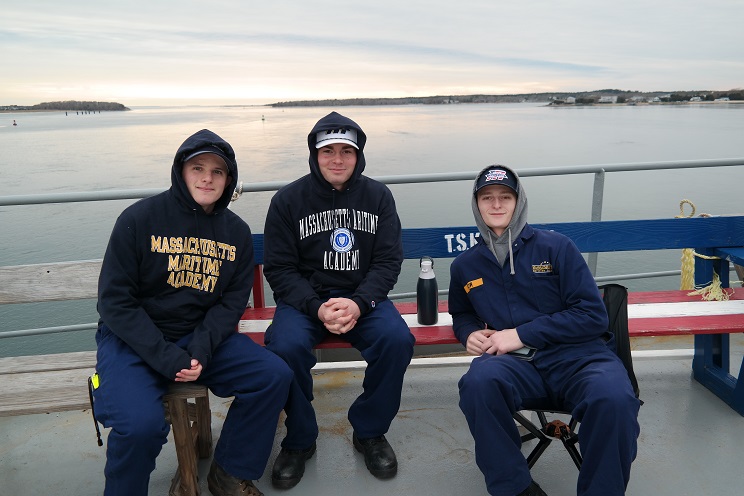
x,y
594,387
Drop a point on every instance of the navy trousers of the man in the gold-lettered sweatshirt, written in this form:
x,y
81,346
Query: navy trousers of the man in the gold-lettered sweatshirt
x,y
129,400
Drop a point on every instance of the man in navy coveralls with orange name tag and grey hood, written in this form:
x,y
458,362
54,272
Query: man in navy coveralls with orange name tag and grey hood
x,y
529,289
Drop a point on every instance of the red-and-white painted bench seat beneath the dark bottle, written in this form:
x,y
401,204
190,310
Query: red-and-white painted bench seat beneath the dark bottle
x,y
662,322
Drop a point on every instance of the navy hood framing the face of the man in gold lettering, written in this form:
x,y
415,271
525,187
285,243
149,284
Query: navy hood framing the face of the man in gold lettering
x,y
199,141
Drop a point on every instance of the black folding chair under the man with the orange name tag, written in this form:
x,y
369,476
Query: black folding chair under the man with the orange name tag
x,y
615,298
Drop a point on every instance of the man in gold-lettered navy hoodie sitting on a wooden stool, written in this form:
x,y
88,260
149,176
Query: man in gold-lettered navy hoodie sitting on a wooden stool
x,y
174,282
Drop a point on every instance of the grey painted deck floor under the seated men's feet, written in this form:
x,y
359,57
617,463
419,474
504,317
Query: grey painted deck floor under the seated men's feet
x,y
690,444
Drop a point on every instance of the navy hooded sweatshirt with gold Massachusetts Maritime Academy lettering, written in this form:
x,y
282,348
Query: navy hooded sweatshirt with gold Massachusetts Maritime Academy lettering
x,y
171,269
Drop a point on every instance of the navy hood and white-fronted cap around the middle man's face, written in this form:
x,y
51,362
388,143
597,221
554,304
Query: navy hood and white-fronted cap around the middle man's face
x,y
336,128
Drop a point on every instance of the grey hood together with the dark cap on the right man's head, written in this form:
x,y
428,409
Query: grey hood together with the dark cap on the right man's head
x,y
500,246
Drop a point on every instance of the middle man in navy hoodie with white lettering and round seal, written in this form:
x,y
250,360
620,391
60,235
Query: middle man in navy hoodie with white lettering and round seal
x,y
332,253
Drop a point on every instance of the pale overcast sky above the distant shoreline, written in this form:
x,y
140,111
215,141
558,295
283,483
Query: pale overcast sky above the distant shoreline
x,y
243,51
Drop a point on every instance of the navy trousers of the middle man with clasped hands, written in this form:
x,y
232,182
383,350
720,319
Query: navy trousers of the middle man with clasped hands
x,y
386,344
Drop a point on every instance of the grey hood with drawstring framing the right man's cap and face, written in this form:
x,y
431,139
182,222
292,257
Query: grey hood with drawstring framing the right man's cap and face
x,y
501,246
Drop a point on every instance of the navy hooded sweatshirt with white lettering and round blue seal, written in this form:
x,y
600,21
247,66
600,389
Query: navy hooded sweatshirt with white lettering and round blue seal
x,y
305,263
